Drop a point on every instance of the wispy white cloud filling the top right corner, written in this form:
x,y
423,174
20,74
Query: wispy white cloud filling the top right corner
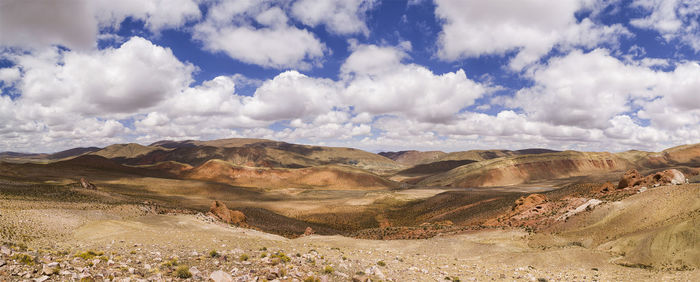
x,y
672,19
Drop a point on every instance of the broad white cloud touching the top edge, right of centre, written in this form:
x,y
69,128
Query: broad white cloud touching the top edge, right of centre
x,y
529,28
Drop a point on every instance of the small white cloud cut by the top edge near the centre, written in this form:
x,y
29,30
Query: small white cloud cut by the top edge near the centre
x,y
339,16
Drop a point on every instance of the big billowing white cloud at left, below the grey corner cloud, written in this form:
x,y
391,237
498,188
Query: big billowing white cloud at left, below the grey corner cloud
x,y
122,80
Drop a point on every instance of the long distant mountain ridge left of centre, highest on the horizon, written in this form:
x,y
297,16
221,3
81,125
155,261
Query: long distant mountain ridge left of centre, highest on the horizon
x,y
246,152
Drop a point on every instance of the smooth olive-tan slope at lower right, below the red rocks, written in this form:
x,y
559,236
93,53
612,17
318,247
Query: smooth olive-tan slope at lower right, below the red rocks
x,y
658,228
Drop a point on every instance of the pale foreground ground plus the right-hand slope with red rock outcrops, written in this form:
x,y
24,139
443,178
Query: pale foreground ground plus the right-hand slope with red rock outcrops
x,y
80,239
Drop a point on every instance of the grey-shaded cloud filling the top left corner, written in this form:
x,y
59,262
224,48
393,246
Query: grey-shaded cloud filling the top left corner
x,y
76,23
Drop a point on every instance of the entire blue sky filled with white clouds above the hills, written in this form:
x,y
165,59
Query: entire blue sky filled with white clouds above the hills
x,y
451,75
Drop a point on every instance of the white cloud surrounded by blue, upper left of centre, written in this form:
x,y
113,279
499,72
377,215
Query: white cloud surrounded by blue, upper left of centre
x,y
273,43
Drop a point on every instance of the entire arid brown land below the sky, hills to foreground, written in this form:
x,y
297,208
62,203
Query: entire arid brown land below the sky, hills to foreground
x,y
341,214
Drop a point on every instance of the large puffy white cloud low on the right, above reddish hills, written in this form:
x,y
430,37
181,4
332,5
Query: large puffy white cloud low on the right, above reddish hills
x,y
584,89
